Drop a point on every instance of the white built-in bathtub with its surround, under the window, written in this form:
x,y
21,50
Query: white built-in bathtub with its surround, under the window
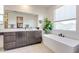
x,y
61,44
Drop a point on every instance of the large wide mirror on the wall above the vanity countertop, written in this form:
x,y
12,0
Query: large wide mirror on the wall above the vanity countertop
x,y
14,19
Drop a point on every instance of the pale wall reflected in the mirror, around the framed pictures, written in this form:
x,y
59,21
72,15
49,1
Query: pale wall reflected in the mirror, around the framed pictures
x,y
27,19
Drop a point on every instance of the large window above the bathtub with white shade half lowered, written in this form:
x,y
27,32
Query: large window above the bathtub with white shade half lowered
x,y
65,18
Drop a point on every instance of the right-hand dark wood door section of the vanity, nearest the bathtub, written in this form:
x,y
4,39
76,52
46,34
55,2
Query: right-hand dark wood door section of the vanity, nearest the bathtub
x,y
34,36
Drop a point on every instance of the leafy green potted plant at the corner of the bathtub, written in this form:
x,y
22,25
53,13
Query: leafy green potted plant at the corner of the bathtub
x,y
48,25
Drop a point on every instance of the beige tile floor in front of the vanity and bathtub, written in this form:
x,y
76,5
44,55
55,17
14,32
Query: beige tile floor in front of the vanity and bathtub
x,y
36,48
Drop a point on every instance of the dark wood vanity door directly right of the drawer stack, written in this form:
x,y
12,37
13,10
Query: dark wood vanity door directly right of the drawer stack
x,y
21,39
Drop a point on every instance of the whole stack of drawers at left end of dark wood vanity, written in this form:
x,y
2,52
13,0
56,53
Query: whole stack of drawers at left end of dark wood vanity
x,y
9,40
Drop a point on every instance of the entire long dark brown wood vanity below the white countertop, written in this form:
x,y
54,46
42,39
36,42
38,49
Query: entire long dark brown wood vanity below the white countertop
x,y
21,38
